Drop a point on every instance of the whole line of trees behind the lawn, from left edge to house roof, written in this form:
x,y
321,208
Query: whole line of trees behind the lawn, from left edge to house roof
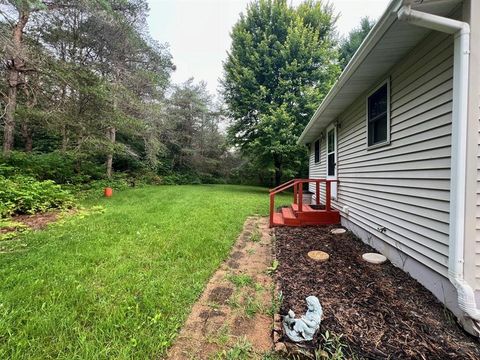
x,y
84,80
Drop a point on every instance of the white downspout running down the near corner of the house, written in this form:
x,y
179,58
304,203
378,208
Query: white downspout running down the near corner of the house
x,y
461,32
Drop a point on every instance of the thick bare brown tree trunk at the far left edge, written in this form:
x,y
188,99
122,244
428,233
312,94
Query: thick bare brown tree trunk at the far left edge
x,y
15,65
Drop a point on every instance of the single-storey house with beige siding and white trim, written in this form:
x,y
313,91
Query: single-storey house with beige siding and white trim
x,y
397,141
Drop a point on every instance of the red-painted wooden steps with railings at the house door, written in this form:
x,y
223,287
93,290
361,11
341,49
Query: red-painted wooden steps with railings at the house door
x,y
299,214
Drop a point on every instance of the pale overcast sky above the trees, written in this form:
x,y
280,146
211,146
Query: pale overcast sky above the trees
x,y
198,31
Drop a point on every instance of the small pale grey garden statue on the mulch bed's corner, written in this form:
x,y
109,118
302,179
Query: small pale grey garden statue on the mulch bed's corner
x,y
304,329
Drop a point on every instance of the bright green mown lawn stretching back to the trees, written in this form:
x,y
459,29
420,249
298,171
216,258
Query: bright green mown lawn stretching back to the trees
x,y
119,283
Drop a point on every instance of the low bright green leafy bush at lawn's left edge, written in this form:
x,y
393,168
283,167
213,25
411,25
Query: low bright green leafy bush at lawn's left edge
x,y
26,195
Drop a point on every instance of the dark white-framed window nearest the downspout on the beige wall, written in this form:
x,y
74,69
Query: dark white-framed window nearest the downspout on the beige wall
x,y
378,116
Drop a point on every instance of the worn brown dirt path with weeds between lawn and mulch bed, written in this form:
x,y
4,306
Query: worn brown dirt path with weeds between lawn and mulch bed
x,y
236,304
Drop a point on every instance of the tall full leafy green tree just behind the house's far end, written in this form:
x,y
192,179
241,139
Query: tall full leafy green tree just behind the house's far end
x,y
282,62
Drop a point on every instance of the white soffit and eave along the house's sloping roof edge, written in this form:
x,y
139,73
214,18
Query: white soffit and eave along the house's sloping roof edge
x,y
387,43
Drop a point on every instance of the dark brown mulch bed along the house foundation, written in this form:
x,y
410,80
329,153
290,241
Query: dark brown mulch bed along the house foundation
x,y
381,311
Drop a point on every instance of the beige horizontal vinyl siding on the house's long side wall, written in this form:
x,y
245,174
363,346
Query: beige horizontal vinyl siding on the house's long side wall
x,y
404,186
